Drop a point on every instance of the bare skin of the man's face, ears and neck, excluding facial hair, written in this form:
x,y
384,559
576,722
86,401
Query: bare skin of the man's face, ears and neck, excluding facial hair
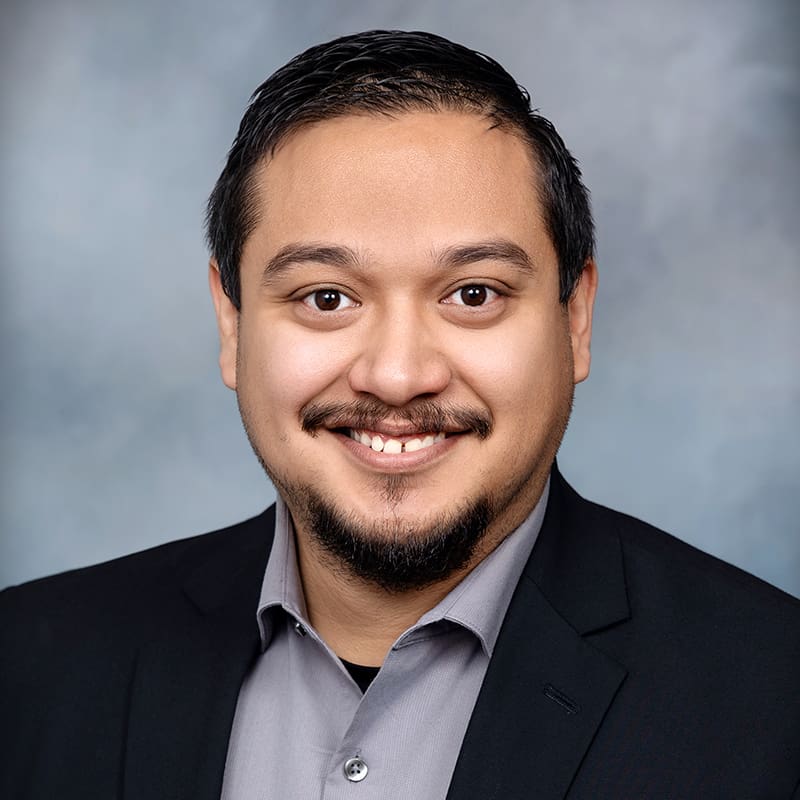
x,y
399,193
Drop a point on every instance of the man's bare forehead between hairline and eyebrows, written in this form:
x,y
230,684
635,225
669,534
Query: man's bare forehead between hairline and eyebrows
x,y
421,179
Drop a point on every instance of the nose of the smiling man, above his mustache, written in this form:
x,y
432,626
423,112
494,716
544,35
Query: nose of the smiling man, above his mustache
x,y
399,359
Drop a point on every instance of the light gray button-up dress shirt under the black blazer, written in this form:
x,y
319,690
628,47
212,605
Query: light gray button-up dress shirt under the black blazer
x,y
303,730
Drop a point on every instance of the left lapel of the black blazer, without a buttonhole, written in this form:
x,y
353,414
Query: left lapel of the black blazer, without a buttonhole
x,y
187,679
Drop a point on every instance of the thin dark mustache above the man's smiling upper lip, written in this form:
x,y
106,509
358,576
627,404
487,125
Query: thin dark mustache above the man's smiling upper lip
x,y
369,413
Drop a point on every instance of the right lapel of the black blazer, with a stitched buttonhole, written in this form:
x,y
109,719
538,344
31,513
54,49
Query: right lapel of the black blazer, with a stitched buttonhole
x,y
547,688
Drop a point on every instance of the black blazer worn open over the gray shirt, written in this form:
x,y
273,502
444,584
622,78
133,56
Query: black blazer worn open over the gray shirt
x,y
630,665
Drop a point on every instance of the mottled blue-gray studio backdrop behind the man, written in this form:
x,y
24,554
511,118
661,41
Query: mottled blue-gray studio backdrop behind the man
x,y
116,431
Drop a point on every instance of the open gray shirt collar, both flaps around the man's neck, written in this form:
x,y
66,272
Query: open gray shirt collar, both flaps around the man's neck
x,y
478,603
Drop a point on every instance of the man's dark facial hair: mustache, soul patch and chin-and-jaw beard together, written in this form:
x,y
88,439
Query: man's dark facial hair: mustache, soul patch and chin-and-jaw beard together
x,y
394,554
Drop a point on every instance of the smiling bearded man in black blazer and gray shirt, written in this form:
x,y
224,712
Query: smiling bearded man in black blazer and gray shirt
x,y
403,276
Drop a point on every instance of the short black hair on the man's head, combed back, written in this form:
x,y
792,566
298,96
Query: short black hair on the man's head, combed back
x,y
381,72
